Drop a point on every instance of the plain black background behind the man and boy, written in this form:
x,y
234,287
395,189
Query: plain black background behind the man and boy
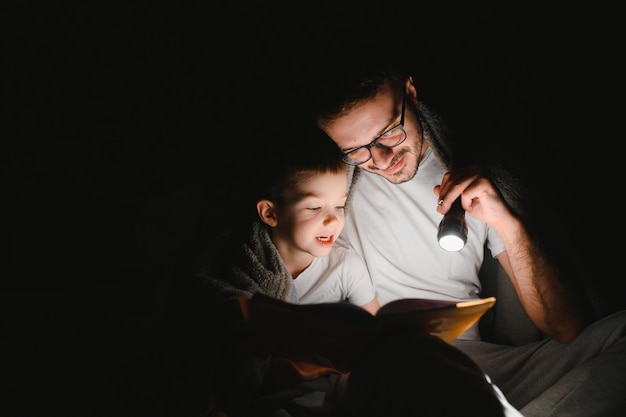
x,y
125,122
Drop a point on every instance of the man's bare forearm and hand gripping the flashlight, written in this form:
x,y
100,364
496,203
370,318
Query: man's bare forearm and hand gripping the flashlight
x,y
555,305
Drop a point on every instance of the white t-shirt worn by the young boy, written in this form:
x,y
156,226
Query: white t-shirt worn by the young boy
x,y
340,275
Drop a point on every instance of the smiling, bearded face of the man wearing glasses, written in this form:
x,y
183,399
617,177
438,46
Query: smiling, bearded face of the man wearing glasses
x,y
369,120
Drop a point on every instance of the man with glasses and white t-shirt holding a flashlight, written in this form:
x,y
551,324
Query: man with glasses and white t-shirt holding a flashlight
x,y
407,175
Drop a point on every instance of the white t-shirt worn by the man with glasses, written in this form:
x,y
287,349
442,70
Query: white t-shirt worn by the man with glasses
x,y
393,227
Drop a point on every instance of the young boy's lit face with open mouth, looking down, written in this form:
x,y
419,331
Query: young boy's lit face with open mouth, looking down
x,y
313,215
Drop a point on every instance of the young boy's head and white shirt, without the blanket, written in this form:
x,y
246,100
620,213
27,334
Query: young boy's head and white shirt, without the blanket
x,y
302,208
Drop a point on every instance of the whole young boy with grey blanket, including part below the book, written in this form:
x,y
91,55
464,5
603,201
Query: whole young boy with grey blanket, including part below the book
x,y
284,245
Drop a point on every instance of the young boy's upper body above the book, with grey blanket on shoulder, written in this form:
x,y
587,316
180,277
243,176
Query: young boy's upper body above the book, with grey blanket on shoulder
x,y
288,247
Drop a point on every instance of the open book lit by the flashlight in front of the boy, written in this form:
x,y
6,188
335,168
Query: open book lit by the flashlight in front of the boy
x,y
339,331
